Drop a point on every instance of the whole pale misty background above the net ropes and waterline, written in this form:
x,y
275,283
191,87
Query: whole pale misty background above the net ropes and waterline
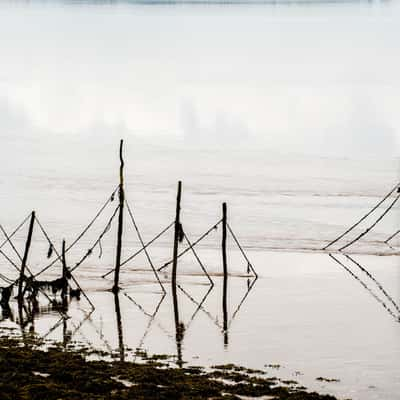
x,y
287,112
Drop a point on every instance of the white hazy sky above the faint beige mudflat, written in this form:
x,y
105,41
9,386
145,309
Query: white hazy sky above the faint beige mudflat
x,y
314,79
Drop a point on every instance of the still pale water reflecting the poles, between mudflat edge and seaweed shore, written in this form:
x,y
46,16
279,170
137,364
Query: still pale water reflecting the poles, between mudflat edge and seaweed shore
x,y
304,313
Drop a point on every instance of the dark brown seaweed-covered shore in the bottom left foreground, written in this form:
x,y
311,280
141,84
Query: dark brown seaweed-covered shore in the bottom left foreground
x,y
29,373
